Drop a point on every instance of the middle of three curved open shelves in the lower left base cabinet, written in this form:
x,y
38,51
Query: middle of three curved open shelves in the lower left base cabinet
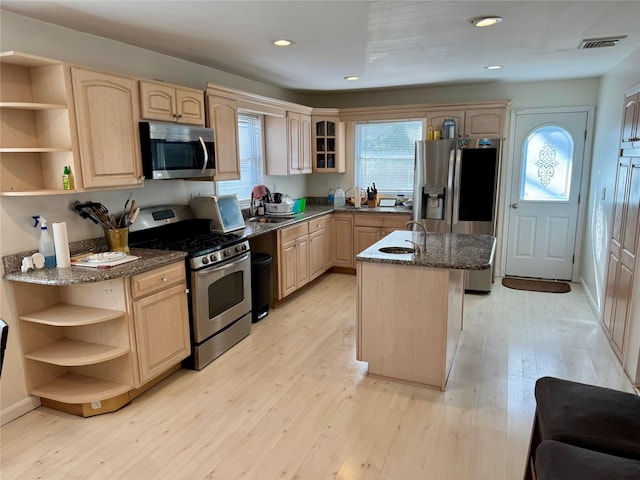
x,y
70,353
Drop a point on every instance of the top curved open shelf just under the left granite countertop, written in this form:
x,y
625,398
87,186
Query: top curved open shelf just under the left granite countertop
x,y
65,315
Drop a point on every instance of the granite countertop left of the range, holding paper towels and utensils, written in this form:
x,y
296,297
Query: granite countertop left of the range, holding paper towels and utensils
x,y
149,259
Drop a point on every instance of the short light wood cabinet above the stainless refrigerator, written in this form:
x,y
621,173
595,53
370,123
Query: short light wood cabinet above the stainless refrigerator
x,y
471,123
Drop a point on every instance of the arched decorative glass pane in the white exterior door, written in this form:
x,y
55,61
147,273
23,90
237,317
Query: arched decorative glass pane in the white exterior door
x,y
547,161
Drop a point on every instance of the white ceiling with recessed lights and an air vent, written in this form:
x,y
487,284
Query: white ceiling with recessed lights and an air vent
x,y
387,44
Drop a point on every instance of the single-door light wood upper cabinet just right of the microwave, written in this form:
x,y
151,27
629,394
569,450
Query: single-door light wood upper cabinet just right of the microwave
x,y
222,116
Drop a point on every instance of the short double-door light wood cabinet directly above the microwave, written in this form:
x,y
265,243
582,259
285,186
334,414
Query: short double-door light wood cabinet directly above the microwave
x,y
171,103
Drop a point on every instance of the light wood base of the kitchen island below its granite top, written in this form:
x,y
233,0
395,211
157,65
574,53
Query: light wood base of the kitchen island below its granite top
x,y
409,321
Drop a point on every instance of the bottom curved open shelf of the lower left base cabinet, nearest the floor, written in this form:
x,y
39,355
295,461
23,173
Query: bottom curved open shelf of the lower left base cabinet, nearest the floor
x,y
74,388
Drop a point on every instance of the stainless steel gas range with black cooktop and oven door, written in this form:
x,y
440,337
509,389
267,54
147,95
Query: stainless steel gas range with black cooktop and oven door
x,y
219,276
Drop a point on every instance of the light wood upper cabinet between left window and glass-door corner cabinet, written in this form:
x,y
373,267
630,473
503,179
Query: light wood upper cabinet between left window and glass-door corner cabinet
x,y
288,144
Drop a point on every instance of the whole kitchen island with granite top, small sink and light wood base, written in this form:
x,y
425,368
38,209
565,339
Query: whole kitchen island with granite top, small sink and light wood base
x,y
410,306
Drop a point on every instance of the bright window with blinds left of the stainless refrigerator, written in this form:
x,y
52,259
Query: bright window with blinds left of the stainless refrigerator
x,y
385,154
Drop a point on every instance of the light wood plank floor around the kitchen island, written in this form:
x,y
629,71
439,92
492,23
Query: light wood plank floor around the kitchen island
x,y
290,401
